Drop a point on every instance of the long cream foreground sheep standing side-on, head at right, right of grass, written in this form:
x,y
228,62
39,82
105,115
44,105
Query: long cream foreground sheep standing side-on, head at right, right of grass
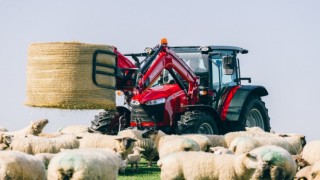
x,y
201,165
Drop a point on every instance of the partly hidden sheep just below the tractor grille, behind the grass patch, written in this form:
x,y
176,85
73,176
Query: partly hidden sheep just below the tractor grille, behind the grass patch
x,y
150,153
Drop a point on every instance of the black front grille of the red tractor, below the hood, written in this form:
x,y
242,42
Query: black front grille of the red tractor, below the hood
x,y
144,113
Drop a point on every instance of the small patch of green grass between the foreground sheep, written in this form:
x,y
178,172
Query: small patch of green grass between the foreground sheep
x,y
145,172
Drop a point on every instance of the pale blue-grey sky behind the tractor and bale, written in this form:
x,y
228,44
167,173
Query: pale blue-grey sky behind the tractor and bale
x,y
282,36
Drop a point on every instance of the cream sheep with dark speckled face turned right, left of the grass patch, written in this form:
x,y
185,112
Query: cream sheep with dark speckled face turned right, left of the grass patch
x,y
122,145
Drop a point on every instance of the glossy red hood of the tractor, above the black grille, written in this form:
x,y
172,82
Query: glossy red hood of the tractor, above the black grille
x,y
157,92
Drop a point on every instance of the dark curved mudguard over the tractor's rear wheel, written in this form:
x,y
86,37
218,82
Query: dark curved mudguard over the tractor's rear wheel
x,y
239,97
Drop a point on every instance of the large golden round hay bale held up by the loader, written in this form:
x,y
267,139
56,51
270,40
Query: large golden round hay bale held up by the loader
x,y
59,75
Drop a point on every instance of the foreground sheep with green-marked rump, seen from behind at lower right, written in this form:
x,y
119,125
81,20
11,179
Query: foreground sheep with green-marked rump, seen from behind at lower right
x,y
281,164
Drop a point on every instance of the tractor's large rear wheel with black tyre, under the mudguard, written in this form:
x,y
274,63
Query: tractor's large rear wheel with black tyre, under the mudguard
x,y
253,113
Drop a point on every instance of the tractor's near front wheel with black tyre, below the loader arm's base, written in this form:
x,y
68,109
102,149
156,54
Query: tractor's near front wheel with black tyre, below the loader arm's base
x,y
196,122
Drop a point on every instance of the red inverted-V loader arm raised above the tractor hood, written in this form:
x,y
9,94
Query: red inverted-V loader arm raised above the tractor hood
x,y
164,58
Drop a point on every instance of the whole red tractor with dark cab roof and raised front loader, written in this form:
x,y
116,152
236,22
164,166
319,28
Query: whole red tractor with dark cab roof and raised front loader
x,y
182,90
